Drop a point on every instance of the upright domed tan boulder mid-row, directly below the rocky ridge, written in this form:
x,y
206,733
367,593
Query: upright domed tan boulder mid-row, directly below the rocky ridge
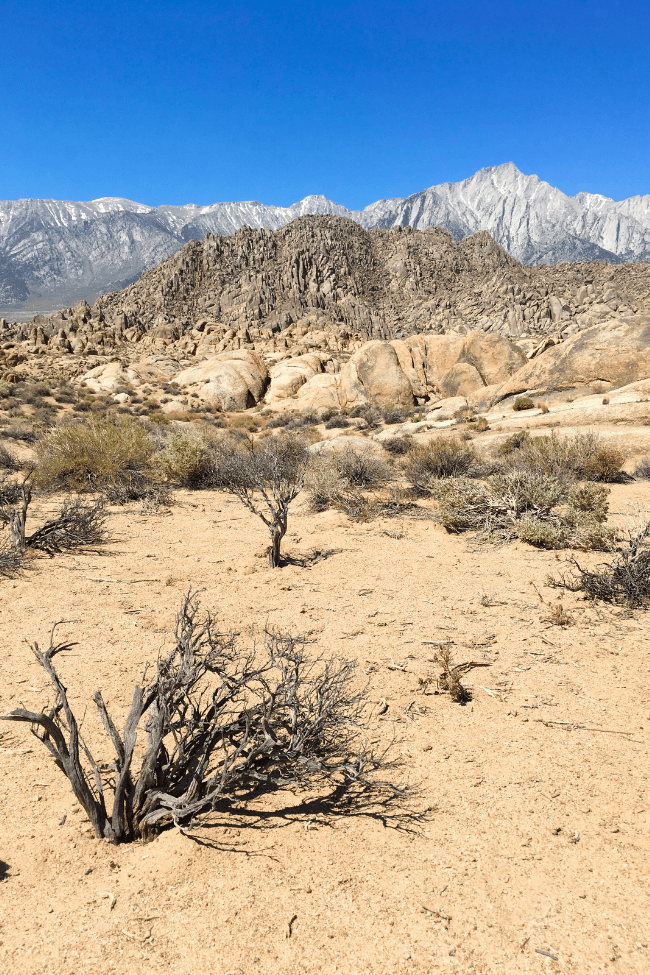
x,y
376,368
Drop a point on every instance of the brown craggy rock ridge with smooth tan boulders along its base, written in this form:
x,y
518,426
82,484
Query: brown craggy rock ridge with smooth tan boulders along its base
x,y
322,314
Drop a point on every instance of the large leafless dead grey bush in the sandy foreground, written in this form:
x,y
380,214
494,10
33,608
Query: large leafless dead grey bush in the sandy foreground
x,y
220,721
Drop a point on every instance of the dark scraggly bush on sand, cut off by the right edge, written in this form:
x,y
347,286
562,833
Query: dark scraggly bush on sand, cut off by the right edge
x,y
625,580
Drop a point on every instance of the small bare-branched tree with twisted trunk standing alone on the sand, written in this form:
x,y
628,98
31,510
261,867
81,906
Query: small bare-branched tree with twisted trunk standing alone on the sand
x,y
266,476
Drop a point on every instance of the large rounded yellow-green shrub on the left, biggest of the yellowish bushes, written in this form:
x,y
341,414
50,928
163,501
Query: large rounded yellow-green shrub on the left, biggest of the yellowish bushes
x,y
102,453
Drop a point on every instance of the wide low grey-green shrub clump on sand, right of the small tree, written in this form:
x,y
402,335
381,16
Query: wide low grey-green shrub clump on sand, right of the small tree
x,y
529,505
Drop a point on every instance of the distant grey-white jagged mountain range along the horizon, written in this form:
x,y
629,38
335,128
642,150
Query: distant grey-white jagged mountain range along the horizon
x,y
58,251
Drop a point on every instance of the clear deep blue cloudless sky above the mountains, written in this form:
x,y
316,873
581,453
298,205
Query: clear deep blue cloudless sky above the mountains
x,y
203,102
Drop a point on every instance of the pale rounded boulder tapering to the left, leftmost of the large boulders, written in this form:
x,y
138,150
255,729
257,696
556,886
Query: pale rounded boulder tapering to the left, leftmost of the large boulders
x,y
233,380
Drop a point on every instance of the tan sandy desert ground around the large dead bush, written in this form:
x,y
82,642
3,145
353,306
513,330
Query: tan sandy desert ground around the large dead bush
x,y
534,853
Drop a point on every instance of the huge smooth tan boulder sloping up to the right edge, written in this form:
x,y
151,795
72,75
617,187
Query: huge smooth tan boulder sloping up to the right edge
x,y
616,352
